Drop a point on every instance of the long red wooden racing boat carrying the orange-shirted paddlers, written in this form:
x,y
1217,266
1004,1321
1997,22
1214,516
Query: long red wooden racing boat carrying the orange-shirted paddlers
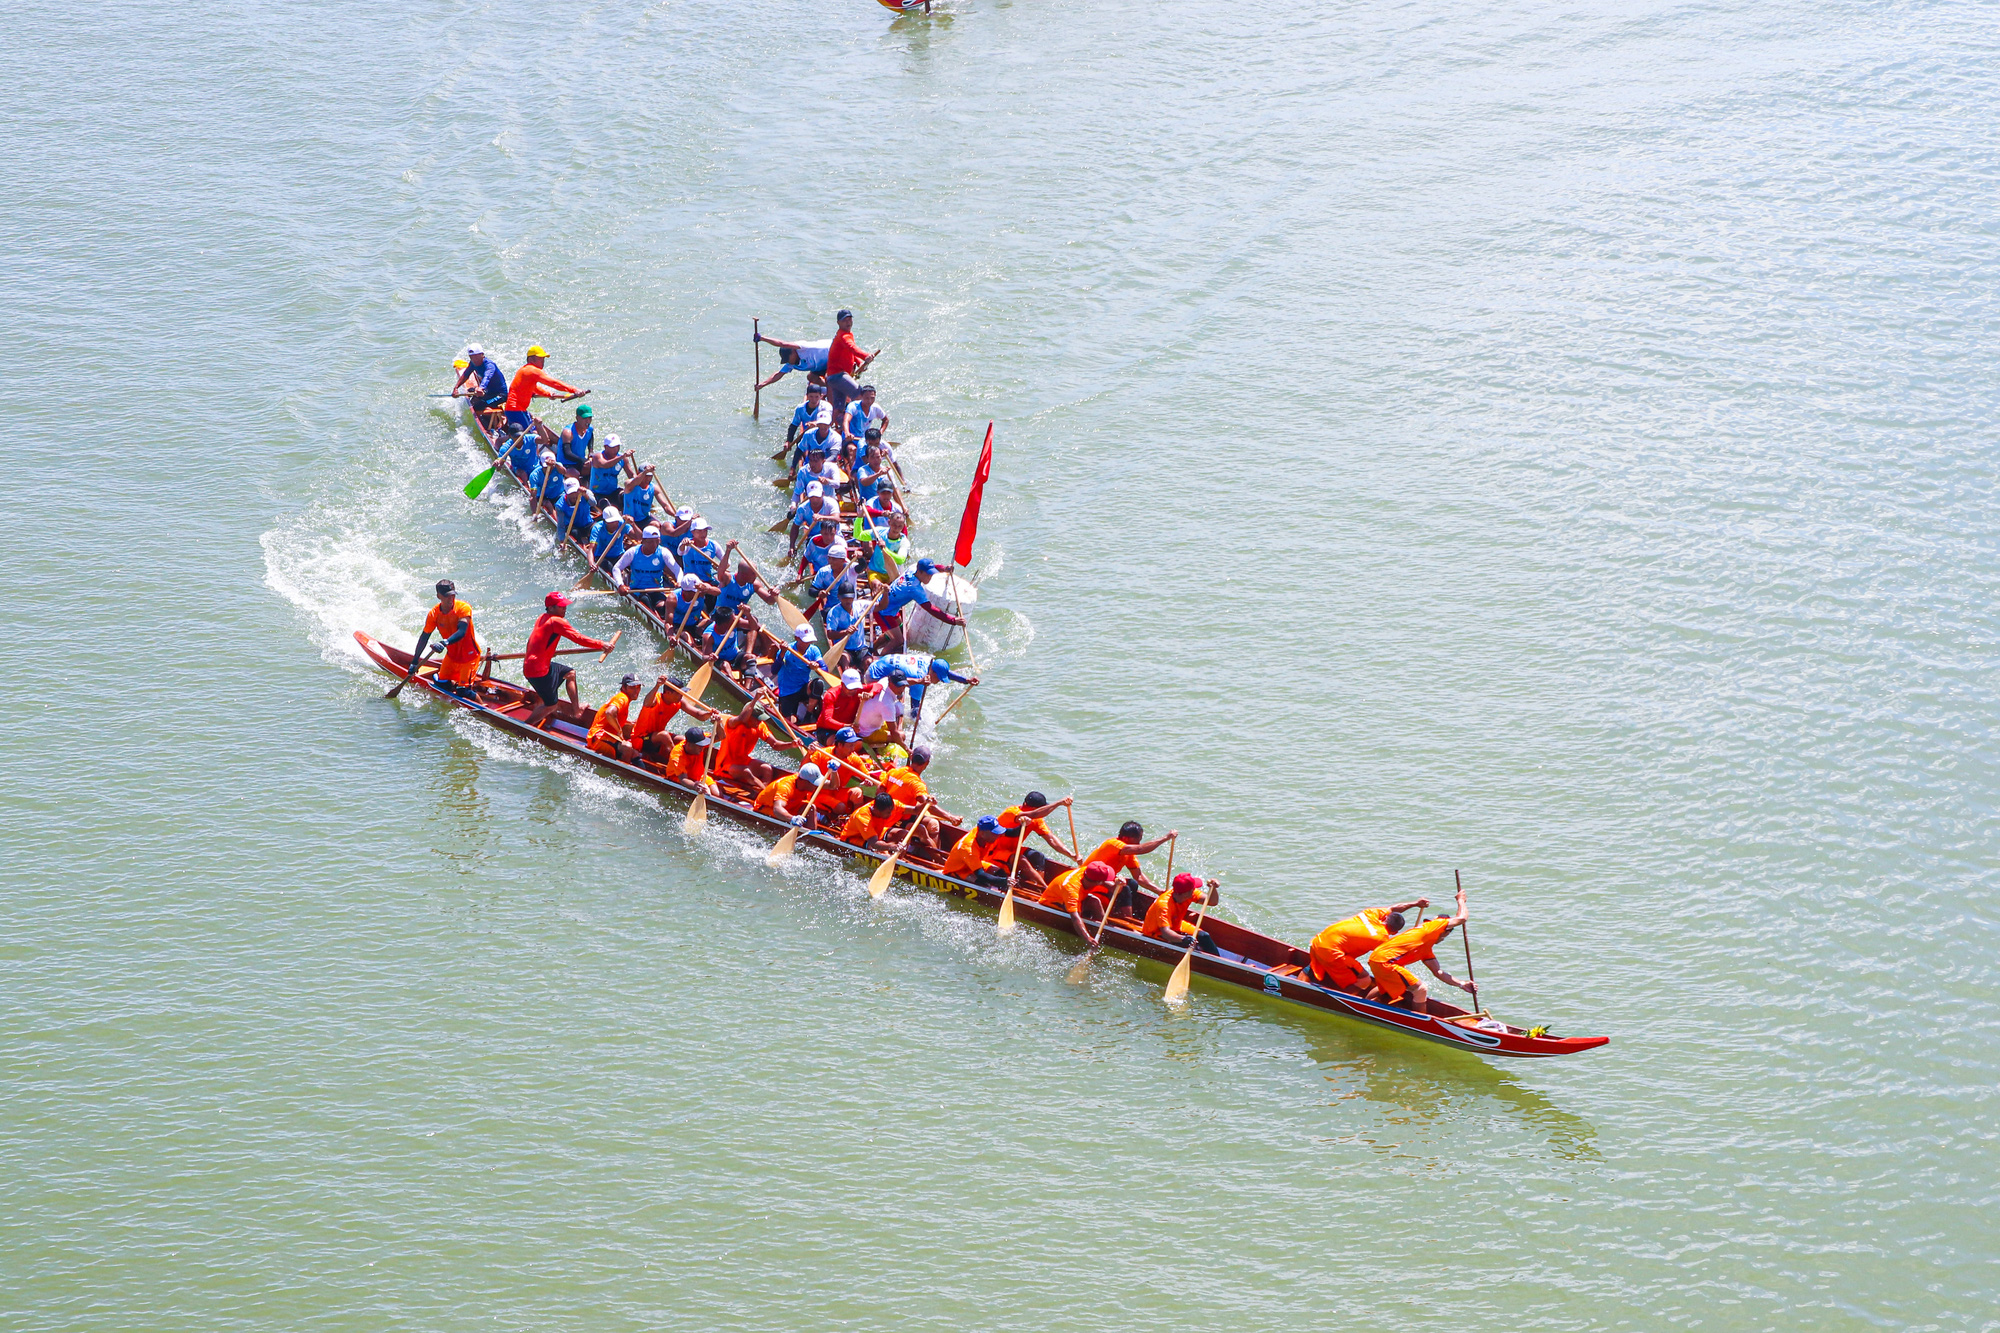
x,y
1249,962
